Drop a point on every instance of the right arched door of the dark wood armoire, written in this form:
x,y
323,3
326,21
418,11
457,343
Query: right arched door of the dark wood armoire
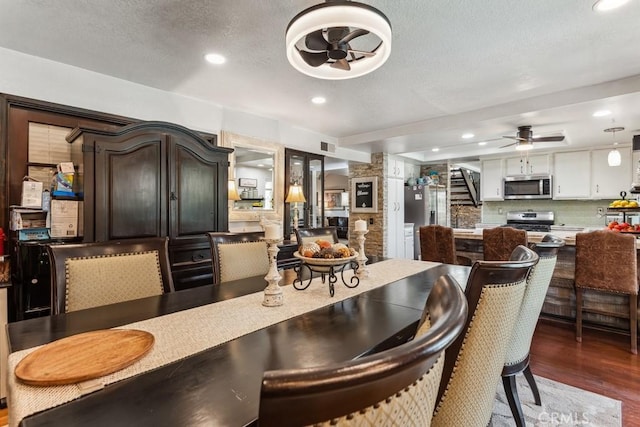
x,y
194,198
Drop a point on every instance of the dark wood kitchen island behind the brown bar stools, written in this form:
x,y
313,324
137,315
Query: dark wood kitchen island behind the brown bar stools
x,y
560,303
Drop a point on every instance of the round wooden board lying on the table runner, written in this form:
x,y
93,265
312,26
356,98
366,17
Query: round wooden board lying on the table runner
x,y
83,357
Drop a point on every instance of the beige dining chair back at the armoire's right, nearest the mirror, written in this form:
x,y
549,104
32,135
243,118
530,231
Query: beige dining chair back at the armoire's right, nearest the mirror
x,y
238,255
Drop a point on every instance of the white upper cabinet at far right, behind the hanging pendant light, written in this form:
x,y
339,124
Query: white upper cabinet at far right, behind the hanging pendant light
x,y
608,181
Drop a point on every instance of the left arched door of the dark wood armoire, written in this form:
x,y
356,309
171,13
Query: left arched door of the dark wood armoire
x,y
130,189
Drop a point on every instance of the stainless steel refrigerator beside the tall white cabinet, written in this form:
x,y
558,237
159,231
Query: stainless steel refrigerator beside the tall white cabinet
x,y
424,205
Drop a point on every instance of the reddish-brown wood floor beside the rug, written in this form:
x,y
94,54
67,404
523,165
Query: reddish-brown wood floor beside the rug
x,y
602,364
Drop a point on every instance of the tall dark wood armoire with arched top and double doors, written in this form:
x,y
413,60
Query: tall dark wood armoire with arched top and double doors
x,y
154,179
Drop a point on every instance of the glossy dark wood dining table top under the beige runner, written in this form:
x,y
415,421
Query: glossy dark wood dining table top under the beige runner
x,y
221,386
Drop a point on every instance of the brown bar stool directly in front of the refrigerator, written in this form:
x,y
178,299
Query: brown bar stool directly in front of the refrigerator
x,y
438,244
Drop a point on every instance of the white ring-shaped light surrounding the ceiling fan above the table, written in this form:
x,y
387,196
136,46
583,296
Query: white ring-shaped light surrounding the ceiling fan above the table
x,y
339,13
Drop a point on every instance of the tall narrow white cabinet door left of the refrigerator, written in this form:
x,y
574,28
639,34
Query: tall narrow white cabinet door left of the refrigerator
x,y
394,219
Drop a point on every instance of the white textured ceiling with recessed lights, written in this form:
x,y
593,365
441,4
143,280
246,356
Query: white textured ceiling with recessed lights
x,y
456,66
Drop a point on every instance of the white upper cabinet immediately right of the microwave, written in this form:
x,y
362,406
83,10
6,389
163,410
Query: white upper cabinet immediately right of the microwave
x,y
572,175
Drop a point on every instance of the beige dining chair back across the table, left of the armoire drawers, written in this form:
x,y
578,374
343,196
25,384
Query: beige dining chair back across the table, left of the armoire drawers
x,y
86,275
